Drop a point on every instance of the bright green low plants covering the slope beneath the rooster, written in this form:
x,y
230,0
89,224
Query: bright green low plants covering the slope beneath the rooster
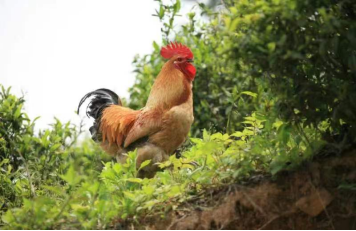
x,y
54,184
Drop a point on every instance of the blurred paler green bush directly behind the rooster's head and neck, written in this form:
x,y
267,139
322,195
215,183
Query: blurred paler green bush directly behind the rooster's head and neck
x,y
218,86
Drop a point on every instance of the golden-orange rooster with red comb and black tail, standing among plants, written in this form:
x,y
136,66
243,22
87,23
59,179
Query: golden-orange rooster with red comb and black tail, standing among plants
x,y
156,130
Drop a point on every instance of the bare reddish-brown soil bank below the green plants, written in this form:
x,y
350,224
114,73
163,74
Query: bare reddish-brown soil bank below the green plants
x,y
309,198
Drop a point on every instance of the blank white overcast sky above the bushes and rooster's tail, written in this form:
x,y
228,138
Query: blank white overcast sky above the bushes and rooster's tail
x,y
56,51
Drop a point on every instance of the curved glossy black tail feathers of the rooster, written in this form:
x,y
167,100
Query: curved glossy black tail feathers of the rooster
x,y
103,98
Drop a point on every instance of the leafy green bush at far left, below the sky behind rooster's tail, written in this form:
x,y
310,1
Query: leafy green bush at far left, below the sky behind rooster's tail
x,y
31,165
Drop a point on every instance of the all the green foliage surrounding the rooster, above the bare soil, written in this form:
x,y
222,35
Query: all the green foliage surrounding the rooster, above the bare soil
x,y
274,78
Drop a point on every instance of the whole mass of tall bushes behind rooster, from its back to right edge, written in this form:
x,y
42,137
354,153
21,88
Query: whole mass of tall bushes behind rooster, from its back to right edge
x,y
298,56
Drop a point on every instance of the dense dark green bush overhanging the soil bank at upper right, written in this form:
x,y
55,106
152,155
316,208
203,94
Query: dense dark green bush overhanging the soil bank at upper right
x,y
304,51
